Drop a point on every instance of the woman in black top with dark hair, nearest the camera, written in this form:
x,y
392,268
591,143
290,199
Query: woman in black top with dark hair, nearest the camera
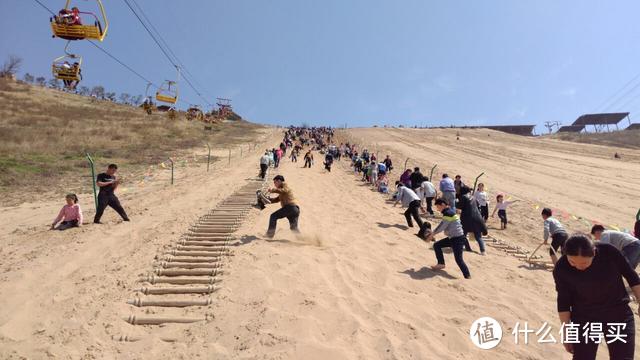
x,y
592,296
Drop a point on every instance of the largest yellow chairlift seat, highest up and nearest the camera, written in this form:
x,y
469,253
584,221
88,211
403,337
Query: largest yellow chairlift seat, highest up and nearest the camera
x,y
63,29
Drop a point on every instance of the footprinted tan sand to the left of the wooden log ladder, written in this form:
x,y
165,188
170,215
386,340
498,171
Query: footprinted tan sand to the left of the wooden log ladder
x,y
63,293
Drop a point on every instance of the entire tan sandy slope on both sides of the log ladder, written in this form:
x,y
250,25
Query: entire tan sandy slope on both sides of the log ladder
x,y
353,285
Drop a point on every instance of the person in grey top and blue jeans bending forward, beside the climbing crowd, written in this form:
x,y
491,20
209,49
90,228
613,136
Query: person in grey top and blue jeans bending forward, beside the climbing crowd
x,y
452,228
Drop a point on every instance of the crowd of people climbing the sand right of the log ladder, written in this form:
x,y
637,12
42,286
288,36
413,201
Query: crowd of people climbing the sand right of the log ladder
x,y
588,270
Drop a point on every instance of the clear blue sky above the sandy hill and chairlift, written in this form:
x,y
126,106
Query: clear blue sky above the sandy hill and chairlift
x,y
360,63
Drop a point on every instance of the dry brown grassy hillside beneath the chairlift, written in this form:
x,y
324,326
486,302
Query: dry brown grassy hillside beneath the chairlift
x,y
44,134
